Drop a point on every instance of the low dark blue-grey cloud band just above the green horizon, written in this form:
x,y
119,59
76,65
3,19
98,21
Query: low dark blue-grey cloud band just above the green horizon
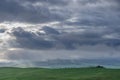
x,y
79,62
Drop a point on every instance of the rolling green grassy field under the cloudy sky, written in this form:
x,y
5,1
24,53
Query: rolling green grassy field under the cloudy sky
x,y
59,74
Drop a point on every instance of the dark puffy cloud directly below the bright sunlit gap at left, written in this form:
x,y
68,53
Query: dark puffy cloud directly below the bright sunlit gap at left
x,y
31,40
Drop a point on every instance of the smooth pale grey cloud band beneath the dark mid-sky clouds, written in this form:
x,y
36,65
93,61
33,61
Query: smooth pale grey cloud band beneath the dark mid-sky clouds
x,y
44,55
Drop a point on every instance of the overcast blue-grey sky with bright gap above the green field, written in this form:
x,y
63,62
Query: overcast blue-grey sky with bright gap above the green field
x,y
34,31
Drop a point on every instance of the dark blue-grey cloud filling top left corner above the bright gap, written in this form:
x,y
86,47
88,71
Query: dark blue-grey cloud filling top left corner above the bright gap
x,y
11,10
